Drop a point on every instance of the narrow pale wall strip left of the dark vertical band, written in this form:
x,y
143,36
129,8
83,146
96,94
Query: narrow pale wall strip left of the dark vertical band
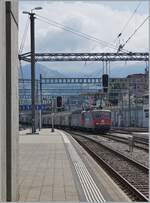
x,y
2,103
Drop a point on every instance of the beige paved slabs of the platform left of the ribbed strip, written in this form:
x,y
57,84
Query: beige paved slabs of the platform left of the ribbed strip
x,y
45,170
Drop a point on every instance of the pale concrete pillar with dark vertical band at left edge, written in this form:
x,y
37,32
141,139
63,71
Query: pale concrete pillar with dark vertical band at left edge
x,y
8,100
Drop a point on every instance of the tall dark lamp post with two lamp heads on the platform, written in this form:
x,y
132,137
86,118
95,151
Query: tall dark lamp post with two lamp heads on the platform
x,y
32,42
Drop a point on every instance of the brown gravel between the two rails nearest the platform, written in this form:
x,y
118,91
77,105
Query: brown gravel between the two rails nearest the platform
x,y
134,175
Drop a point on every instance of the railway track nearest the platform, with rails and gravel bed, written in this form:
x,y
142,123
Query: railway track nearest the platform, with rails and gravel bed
x,y
130,175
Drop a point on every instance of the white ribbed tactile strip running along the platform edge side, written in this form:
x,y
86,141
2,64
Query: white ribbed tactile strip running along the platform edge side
x,y
91,191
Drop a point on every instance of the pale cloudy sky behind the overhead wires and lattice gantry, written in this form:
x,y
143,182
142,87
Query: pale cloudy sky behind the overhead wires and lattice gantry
x,y
91,17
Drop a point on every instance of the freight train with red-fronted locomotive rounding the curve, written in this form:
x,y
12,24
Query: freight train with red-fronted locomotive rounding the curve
x,y
92,120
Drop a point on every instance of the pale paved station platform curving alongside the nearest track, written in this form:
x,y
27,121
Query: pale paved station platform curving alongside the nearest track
x,y
54,167
